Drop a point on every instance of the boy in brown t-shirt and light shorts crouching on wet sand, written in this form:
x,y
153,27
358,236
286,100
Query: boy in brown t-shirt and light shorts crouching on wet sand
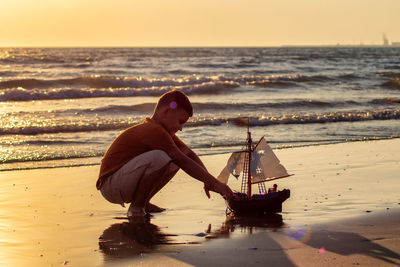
x,y
144,157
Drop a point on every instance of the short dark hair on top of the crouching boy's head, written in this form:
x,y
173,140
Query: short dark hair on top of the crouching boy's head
x,y
175,100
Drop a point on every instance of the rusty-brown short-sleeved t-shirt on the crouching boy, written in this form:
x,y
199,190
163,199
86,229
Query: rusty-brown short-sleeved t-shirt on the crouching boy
x,y
134,141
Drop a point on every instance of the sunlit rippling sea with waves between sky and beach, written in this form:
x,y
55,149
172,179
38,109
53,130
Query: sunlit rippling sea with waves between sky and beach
x,y
63,107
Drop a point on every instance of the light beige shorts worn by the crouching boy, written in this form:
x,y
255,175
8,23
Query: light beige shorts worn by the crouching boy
x,y
121,186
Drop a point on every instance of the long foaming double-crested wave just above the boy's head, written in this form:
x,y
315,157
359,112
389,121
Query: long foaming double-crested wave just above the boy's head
x,y
116,86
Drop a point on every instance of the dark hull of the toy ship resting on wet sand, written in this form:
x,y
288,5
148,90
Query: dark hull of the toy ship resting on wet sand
x,y
240,204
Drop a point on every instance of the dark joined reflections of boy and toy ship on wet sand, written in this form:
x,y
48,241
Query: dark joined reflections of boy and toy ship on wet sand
x,y
133,238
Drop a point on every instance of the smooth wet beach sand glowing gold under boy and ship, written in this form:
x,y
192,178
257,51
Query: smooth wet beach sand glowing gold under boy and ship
x,y
344,210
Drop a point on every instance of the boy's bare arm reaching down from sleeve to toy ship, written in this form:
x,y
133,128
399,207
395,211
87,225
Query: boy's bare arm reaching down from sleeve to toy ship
x,y
195,168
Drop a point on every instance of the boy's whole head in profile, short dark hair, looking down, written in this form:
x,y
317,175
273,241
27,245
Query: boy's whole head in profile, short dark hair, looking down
x,y
172,111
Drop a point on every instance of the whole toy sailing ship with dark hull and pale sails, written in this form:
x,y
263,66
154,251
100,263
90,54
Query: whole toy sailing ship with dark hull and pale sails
x,y
256,164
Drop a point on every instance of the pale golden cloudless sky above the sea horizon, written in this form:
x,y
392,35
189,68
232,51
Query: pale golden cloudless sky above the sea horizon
x,y
197,22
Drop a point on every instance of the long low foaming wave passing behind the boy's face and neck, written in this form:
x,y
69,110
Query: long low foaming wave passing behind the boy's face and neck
x,y
119,124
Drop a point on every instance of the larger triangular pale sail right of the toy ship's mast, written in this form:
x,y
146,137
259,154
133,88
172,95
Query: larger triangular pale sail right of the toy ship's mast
x,y
264,164
